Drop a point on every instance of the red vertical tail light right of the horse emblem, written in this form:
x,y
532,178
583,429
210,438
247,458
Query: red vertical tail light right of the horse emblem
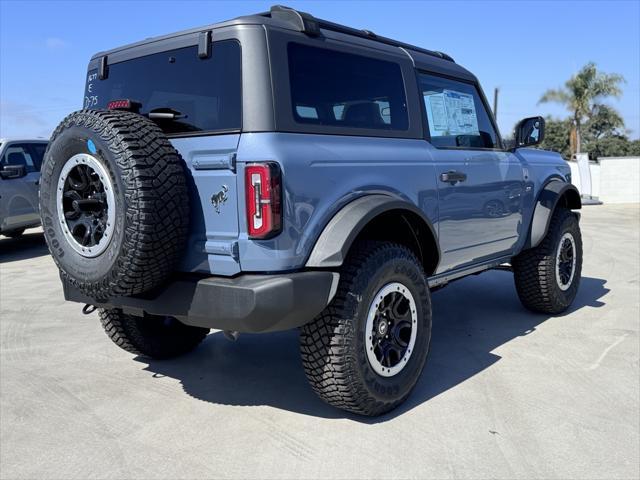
x,y
263,184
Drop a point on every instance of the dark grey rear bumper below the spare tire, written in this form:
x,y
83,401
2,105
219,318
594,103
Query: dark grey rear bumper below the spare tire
x,y
247,303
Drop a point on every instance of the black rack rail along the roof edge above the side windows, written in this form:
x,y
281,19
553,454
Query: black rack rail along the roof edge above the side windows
x,y
308,24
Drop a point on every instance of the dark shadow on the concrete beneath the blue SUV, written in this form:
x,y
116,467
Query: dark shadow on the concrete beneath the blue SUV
x,y
471,318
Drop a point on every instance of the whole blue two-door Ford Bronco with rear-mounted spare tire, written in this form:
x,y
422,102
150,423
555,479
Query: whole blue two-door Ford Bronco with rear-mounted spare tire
x,y
279,171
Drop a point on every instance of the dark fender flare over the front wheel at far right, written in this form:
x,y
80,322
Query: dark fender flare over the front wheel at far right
x,y
547,202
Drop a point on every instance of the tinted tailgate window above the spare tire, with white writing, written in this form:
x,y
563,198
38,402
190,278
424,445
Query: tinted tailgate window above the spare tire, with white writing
x,y
207,92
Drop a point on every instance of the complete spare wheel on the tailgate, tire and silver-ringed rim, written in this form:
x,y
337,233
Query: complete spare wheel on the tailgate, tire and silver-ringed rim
x,y
114,203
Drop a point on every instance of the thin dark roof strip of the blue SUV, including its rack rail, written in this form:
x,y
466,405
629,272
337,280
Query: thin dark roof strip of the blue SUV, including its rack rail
x,y
289,18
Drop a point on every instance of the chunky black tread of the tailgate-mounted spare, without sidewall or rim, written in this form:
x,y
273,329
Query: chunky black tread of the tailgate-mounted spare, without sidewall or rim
x,y
157,202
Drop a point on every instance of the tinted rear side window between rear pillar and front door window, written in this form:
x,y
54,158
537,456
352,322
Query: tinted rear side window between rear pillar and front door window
x,y
346,90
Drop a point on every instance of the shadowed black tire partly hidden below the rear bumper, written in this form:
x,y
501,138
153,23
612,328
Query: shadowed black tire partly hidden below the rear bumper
x,y
150,336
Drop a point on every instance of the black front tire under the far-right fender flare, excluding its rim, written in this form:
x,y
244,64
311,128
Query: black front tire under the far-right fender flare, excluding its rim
x,y
534,269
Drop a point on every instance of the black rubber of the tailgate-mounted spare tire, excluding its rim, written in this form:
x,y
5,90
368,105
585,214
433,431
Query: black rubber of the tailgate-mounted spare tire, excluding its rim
x,y
151,199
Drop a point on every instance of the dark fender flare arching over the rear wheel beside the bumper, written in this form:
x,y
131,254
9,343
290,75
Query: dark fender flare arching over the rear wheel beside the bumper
x,y
379,217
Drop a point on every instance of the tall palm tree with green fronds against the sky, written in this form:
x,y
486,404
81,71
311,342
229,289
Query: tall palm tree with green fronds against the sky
x,y
581,92
